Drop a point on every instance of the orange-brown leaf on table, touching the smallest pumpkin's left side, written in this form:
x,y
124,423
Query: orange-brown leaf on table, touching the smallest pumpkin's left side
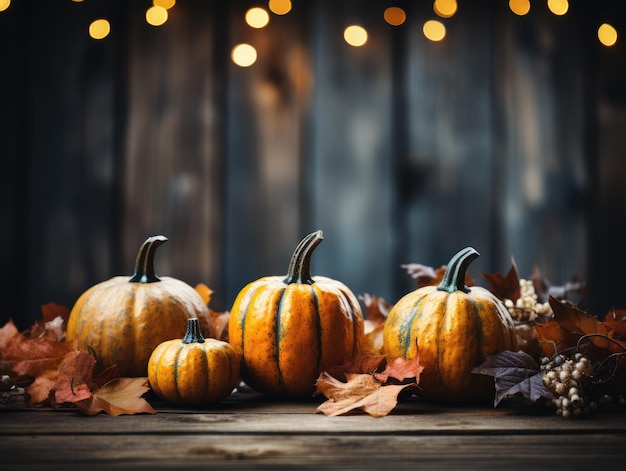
x,y
120,396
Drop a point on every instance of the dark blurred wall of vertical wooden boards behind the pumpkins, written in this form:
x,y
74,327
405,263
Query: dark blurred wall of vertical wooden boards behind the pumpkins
x,y
507,136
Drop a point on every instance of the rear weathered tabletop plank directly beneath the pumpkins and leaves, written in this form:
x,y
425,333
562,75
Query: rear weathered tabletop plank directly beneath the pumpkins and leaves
x,y
278,419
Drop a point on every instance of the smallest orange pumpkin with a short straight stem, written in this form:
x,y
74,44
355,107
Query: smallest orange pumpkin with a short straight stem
x,y
193,370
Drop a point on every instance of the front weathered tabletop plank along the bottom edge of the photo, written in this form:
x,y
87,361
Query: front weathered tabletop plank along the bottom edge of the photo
x,y
339,451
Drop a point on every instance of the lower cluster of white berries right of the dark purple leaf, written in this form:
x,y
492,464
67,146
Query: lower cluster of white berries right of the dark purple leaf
x,y
569,379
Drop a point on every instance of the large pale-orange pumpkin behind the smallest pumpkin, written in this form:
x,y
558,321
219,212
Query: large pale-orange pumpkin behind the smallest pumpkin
x,y
121,320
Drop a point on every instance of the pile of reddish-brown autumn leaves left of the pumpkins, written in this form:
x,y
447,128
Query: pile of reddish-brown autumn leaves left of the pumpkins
x,y
38,368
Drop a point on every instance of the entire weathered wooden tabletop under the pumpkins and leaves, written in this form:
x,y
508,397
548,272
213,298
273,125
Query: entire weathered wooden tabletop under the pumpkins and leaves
x,y
248,431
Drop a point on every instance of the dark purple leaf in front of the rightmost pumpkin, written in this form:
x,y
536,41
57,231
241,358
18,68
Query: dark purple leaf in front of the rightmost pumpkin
x,y
515,373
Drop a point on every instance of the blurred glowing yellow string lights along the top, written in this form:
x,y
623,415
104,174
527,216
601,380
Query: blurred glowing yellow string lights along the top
x,y
245,55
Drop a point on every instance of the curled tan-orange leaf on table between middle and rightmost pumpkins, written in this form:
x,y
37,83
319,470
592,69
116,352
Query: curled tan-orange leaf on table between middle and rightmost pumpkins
x,y
361,391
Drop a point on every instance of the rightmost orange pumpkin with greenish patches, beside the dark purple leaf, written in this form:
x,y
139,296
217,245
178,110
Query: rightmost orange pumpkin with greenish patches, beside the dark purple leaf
x,y
454,328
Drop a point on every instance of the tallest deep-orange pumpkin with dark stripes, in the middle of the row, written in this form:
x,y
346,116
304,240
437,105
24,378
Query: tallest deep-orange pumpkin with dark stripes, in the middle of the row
x,y
287,329
